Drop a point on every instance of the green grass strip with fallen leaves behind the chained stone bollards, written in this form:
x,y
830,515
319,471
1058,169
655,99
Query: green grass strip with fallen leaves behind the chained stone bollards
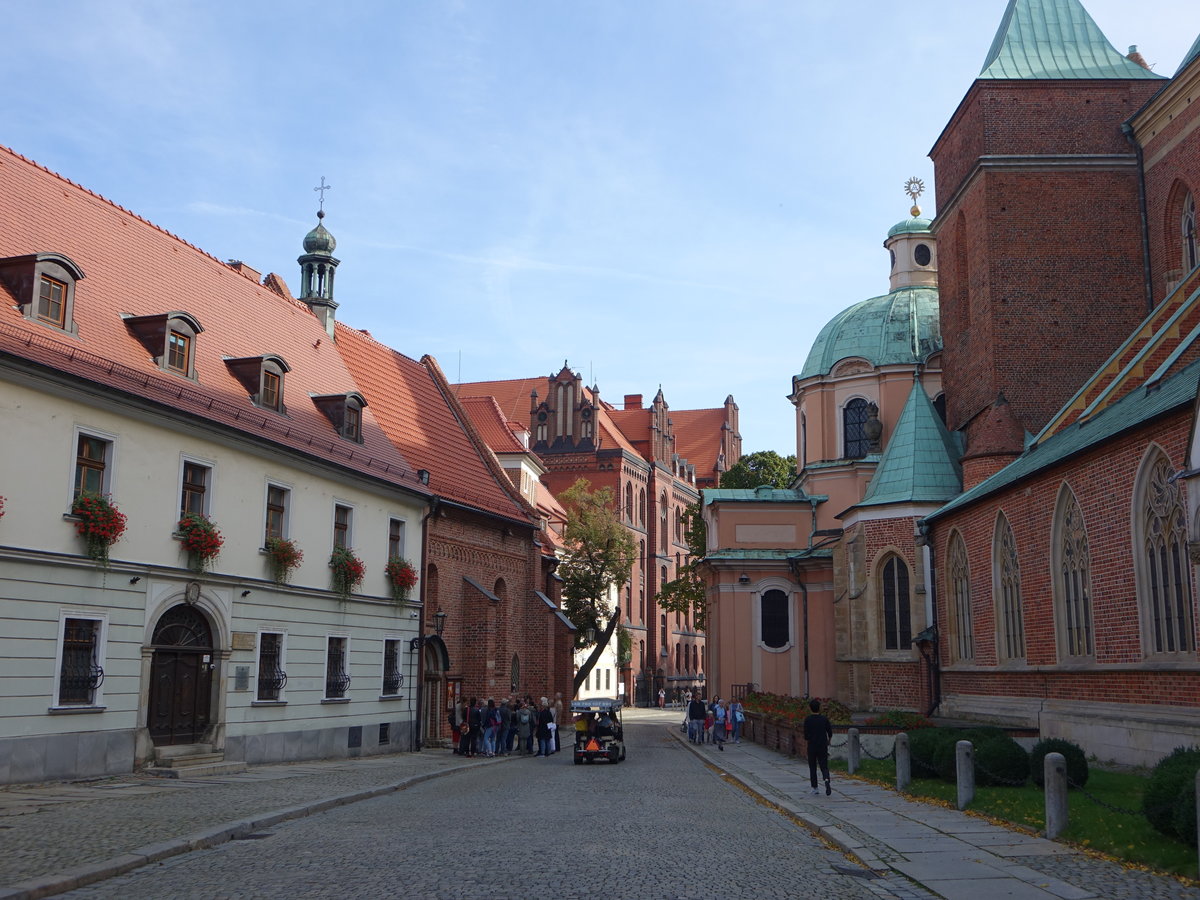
x,y
1129,839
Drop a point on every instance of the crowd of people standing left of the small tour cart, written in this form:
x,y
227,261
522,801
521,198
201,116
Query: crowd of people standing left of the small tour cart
x,y
495,728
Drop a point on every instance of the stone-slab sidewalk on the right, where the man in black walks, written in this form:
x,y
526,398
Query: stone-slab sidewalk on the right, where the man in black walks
x,y
955,855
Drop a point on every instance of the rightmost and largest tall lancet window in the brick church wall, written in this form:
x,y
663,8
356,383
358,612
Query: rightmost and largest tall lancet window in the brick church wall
x,y
1165,587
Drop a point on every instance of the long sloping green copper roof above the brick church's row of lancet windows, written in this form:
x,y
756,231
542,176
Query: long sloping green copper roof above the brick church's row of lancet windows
x,y
1133,411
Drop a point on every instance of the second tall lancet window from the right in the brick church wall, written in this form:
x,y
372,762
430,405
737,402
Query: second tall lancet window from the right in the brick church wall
x,y
1073,580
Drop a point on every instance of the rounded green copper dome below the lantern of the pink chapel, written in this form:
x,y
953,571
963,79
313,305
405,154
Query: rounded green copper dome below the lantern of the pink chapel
x,y
898,328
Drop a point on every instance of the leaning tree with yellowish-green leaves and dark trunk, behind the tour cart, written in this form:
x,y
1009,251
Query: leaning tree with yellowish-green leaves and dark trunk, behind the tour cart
x,y
597,565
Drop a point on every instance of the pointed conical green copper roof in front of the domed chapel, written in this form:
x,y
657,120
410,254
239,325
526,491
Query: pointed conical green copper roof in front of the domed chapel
x,y
921,463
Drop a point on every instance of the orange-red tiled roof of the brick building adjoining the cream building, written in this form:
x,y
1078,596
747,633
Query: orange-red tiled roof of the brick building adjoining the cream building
x,y
429,427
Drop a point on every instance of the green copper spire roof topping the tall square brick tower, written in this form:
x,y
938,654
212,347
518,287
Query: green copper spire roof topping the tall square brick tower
x,y
1054,39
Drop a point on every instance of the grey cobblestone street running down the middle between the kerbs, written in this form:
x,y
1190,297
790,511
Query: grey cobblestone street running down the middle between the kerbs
x,y
661,825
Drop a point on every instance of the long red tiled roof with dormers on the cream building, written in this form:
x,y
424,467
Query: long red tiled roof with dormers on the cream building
x,y
133,267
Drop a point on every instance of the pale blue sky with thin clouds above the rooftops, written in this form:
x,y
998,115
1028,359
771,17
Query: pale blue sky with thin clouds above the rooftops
x,y
673,194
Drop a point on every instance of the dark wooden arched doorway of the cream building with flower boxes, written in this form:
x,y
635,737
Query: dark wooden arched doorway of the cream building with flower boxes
x,y
181,677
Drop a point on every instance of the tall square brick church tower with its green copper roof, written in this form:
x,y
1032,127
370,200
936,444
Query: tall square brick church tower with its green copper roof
x,y
1040,219
